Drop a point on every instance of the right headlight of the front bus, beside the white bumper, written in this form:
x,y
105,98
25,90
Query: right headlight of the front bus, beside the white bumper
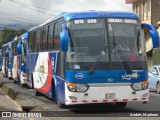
x,y
140,86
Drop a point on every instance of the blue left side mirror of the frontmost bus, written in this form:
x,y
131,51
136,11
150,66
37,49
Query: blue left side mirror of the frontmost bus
x,y
64,39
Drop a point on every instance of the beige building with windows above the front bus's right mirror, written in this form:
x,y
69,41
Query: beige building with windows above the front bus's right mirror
x,y
147,10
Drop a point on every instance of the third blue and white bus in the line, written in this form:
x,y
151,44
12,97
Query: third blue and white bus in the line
x,y
6,60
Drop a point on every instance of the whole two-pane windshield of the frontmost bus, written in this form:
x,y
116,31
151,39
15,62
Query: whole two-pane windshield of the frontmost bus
x,y
88,37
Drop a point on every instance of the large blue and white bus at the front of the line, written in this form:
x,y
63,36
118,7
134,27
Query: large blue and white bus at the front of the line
x,y
78,58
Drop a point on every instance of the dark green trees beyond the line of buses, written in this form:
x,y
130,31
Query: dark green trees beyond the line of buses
x,y
8,34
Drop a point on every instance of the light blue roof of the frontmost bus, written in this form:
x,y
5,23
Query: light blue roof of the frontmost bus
x,y
91,14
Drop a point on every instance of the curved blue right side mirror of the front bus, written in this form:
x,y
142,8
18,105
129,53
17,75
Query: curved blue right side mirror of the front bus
x,y
154,34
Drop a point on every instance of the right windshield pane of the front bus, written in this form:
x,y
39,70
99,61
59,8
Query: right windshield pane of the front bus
x,y
128,37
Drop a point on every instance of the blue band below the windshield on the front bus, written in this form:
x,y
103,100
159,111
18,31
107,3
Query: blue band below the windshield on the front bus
x,y
99,76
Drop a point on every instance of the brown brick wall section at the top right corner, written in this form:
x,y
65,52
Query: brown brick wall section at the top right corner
x,y
155,5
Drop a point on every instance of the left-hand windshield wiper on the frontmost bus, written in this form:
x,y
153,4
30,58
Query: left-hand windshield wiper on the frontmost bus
x,y
98,59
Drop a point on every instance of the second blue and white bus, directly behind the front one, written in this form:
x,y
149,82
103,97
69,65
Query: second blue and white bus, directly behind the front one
x,y
19,52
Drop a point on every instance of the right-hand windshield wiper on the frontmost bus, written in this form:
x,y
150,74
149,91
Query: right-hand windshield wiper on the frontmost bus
x,y
119,51
